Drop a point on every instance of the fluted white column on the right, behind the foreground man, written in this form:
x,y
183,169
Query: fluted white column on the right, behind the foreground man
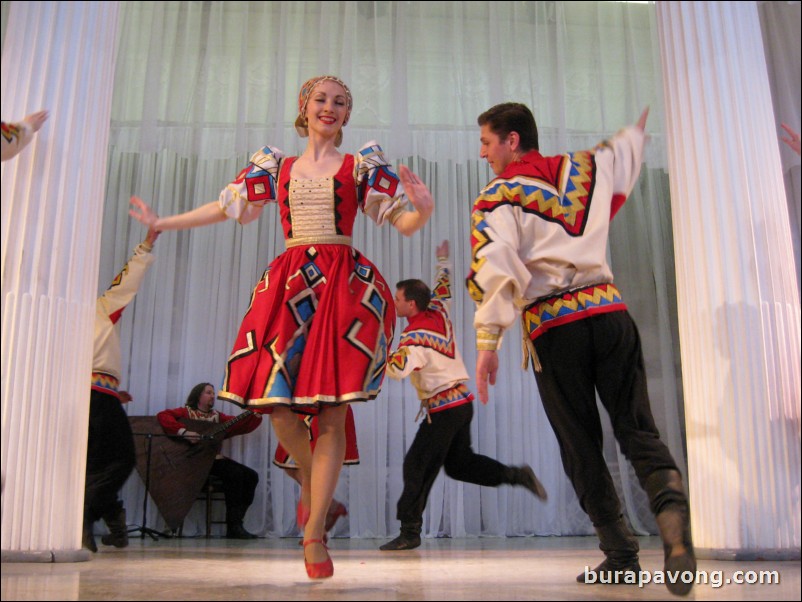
x,y
739,306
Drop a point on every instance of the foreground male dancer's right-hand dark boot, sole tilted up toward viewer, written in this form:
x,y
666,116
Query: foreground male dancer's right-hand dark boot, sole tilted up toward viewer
x,y
670,506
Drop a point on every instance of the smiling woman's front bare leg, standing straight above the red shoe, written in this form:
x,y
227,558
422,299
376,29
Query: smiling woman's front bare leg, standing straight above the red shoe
x,y
327,462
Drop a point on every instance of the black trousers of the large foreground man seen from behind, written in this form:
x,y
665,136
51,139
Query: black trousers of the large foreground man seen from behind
x,y
601,353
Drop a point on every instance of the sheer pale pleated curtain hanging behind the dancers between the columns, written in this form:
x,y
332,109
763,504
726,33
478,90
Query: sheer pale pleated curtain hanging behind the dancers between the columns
x,y
201,85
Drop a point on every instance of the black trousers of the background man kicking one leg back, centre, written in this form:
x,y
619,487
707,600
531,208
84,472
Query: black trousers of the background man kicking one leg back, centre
x,y
445,442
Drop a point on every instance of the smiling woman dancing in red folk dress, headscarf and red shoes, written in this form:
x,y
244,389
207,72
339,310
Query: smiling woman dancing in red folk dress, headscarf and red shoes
x,y
316,333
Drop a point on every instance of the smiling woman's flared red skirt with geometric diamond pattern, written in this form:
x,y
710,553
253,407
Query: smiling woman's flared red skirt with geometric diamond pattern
x,y
316,333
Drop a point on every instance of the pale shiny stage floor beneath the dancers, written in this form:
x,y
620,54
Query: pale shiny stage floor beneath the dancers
x,y
524,568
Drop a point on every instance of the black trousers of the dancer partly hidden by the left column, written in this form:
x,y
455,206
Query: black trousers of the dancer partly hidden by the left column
x,y
110,456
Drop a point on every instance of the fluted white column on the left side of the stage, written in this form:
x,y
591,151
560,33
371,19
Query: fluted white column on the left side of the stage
x,y
58,57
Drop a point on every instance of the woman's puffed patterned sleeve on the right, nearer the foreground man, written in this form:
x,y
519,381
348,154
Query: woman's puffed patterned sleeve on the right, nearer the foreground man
x,y
380,193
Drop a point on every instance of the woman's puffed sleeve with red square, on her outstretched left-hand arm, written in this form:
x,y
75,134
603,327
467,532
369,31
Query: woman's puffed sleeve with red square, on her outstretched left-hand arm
x,y
255,185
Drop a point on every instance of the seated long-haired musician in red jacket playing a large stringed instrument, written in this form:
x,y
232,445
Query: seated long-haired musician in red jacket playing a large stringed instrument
x,y
239,481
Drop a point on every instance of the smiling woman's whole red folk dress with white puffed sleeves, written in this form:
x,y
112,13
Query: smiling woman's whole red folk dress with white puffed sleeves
x,y
321,319
